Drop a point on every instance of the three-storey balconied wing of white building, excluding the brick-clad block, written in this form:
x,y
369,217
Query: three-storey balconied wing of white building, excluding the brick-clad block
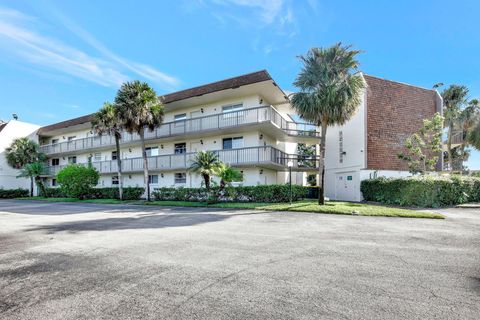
x,y
247,119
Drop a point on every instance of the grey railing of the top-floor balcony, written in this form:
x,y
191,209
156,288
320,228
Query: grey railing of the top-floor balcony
x,y
194,125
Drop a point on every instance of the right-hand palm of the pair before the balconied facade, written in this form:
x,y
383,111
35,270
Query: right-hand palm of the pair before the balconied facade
x,y
139,108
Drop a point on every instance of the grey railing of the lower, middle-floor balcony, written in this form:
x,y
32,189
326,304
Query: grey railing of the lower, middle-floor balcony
x,y
236,157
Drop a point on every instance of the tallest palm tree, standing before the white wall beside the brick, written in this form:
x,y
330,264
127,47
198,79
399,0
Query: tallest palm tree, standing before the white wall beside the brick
x,y
330,92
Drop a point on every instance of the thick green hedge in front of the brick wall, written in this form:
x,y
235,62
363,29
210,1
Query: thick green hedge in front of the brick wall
x,y
422,191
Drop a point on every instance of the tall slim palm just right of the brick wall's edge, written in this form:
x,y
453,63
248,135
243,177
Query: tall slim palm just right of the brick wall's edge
x,y
454,97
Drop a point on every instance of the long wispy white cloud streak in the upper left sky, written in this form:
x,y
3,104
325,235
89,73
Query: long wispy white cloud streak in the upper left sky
x,y
18,35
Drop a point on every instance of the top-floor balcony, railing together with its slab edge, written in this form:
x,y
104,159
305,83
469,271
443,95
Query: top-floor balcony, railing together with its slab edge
x,y
212,124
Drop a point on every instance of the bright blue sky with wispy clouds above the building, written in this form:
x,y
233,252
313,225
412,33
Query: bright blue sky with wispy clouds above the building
x,y
63,59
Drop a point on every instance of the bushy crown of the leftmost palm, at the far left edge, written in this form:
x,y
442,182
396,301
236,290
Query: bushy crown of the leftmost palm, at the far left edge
x,y
23,151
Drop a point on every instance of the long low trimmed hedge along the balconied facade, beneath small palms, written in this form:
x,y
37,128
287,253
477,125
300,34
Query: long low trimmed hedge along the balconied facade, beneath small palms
x,y
263,193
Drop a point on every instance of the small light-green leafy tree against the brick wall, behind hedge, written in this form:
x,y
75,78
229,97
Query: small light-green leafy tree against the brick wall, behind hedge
x,y
424,146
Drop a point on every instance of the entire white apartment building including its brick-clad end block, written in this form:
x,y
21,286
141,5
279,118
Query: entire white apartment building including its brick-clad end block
x,y
249,121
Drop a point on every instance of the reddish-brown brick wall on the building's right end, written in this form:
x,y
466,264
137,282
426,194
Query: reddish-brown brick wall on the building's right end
x,y
394,112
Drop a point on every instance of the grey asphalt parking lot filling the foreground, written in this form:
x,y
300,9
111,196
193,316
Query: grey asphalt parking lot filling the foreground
x,y
88,261
